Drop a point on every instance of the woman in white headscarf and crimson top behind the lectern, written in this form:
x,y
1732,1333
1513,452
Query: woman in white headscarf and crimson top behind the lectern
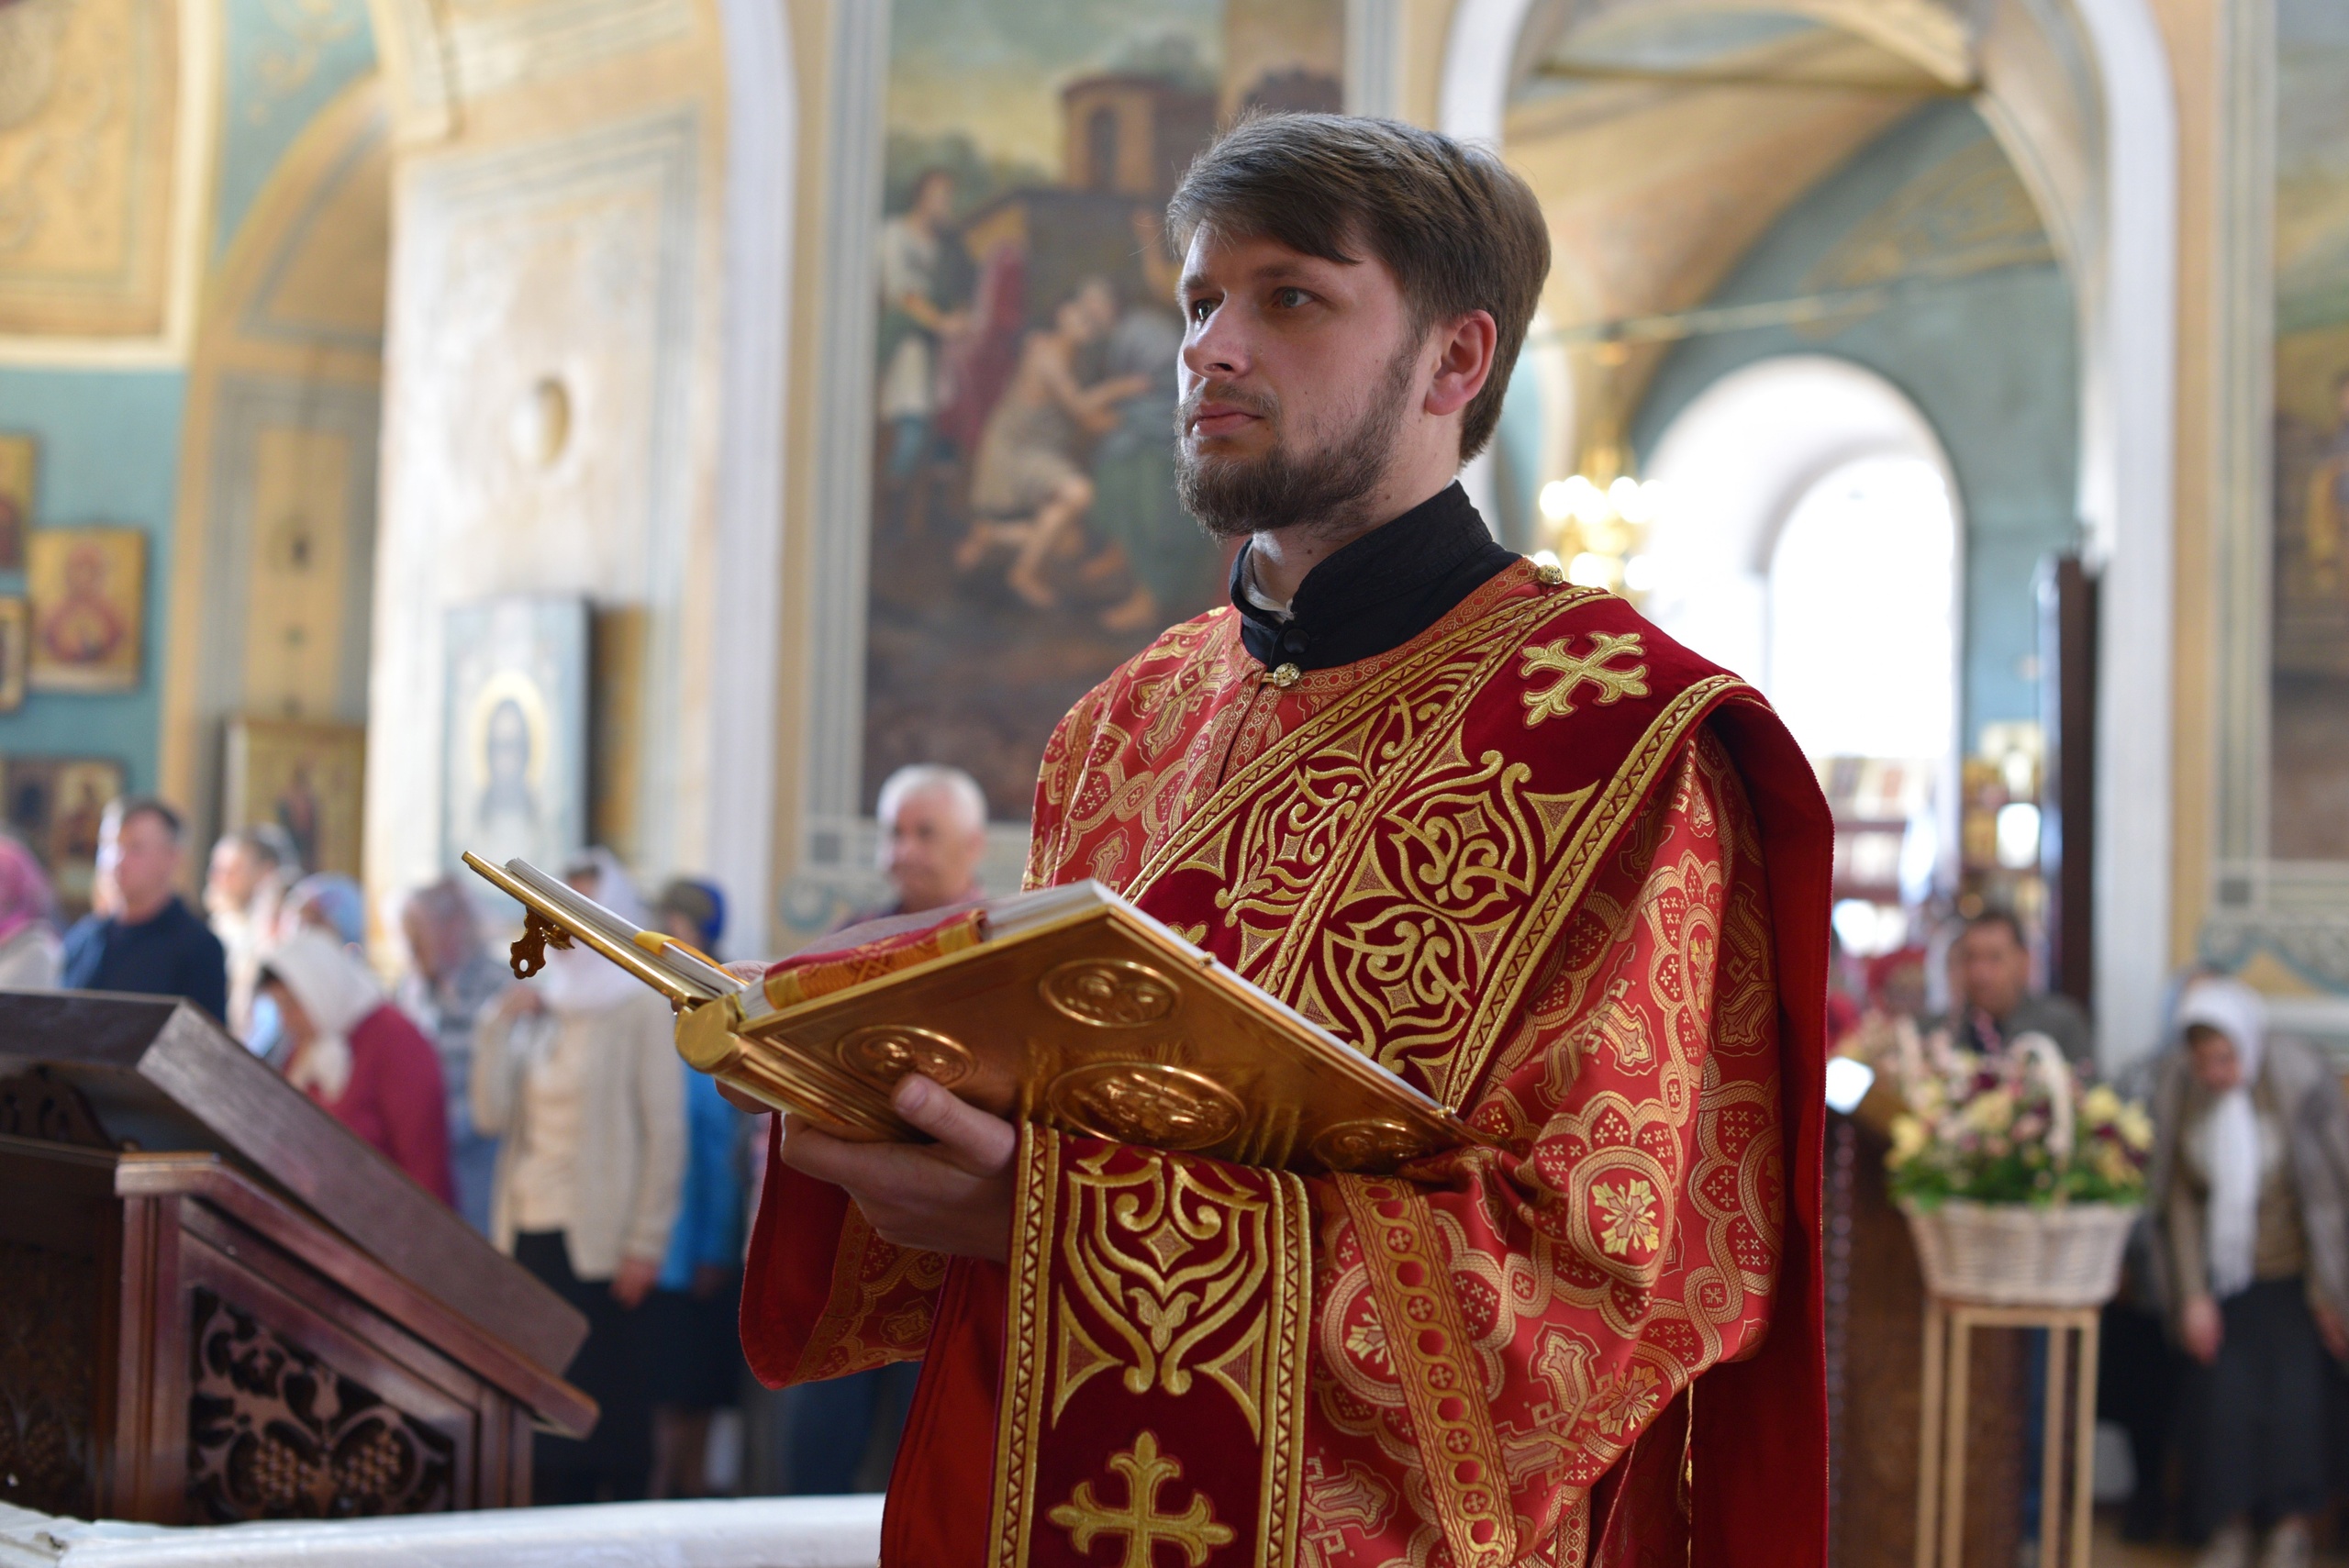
x,y
358,1055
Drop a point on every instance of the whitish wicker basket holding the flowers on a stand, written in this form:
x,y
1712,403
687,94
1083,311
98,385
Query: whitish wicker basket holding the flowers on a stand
x,y
2021,1257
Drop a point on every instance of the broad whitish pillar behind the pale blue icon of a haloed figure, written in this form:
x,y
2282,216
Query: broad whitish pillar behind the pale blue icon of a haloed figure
x,y
551,393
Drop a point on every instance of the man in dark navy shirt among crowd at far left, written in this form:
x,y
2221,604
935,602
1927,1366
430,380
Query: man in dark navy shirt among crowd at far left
x,y
149,940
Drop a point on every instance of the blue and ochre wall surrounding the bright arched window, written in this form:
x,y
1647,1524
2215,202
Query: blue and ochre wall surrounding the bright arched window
x,y
1991,358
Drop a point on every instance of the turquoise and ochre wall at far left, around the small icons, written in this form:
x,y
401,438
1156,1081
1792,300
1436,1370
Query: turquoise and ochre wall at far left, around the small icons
x,y
187,128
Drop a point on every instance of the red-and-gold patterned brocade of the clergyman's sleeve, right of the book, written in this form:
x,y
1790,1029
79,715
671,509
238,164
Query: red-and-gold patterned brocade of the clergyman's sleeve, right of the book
x,y
1594,1344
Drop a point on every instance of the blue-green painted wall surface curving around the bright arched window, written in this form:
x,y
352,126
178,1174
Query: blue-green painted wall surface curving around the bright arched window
x,y
1991,360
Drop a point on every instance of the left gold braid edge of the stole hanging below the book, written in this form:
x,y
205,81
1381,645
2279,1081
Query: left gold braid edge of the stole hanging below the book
x,y
1025,1353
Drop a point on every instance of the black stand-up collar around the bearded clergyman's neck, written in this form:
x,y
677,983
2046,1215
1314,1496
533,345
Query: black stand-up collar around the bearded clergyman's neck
x,y
1378,593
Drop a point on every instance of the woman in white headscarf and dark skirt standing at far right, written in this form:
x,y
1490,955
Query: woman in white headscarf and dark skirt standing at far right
x,y
2252,1191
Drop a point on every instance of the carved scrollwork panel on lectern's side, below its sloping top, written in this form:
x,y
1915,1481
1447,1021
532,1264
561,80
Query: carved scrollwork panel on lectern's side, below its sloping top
x,y
274,1433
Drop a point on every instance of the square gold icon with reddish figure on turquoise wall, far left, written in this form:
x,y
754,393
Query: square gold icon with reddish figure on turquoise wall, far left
x,y
88,609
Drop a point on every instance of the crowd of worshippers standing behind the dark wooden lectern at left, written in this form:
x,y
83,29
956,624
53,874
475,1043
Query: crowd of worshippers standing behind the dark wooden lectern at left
x,y
551,1114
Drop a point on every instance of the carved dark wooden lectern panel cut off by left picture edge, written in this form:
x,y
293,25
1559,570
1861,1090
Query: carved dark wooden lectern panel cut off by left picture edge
x,y
48,1377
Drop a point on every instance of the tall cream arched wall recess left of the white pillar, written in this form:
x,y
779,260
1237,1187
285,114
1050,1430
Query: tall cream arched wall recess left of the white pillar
x,y
276,513
